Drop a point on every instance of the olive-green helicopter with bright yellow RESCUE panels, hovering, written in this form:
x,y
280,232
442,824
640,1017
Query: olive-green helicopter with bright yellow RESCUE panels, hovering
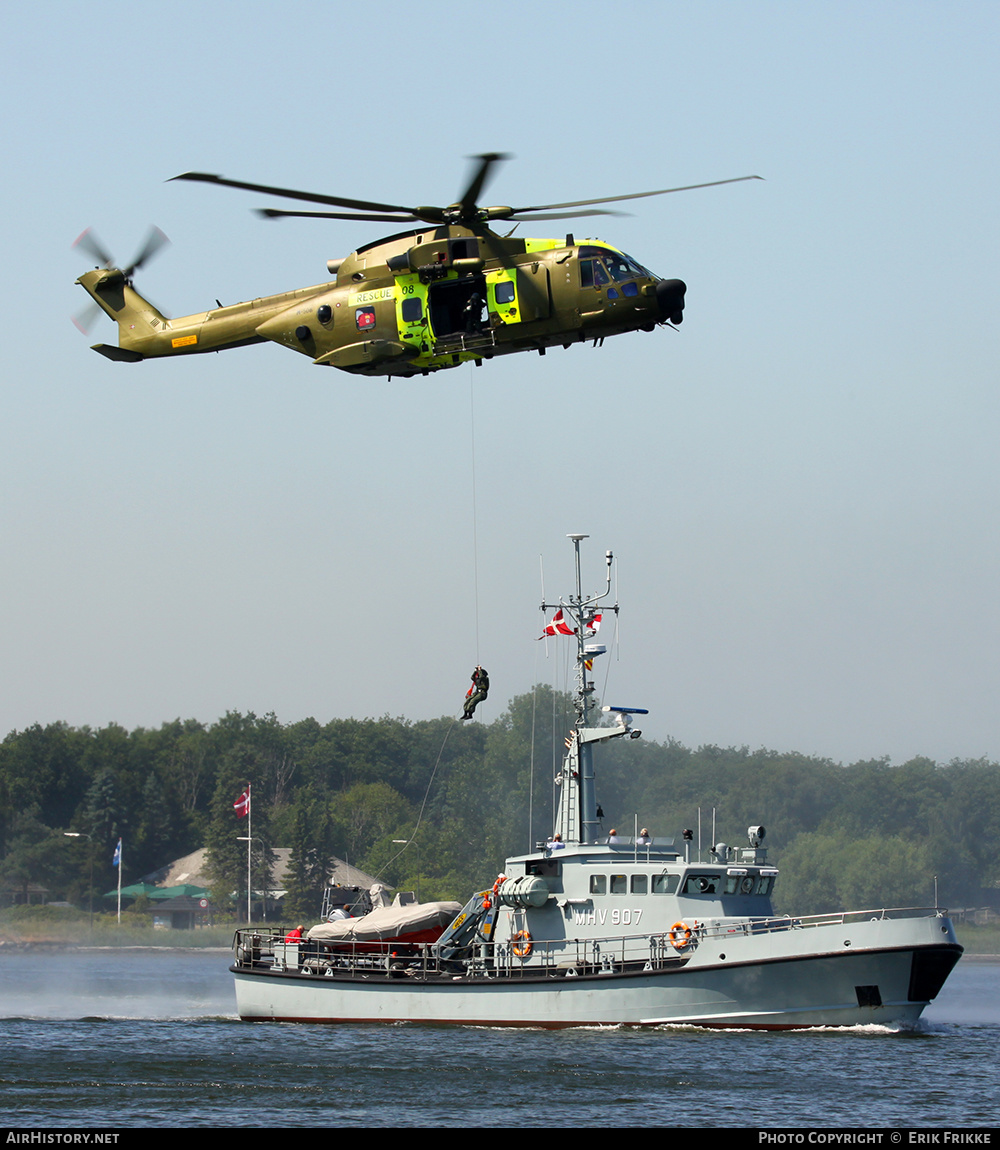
x,y
448,290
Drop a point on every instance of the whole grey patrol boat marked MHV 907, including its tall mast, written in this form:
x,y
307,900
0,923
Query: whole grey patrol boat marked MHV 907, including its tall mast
x,y
590,930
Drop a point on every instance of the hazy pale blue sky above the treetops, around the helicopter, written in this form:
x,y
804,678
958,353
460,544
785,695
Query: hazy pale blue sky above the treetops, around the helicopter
x,y
801,486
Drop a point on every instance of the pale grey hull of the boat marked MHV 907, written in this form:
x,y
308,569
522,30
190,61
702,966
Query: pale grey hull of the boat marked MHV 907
x,y
775,984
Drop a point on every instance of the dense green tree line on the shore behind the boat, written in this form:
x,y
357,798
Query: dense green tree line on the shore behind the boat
x,y
437,806
